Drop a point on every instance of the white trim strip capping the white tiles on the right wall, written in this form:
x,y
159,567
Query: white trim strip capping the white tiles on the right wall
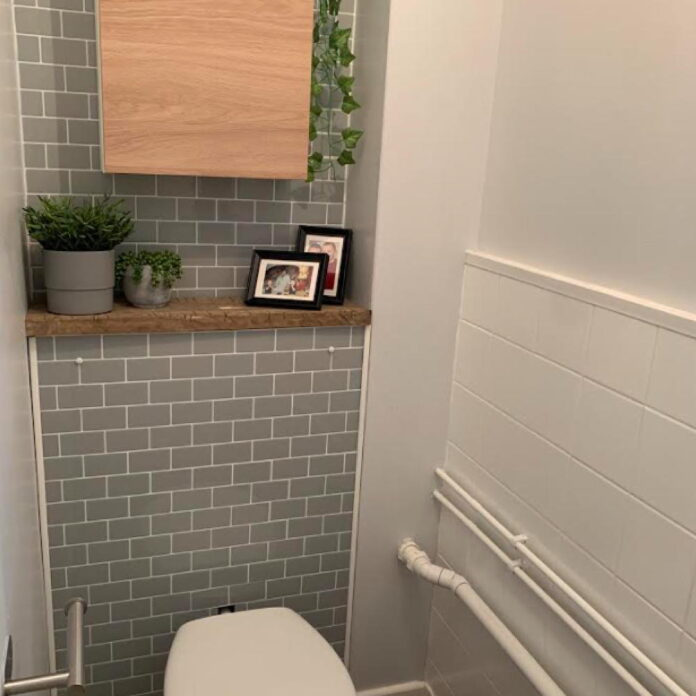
x,y
641,308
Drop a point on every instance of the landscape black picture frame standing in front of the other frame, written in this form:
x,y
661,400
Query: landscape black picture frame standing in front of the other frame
x,y
262,262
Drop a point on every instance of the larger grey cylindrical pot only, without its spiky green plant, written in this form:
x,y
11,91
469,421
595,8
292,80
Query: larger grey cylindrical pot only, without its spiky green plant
x,y
79,282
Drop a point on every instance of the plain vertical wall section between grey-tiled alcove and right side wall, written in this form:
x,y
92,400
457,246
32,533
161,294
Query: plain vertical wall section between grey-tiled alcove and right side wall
x,y
414,213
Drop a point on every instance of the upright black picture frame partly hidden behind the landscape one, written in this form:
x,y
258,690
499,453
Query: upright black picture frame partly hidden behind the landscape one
x,y
335,243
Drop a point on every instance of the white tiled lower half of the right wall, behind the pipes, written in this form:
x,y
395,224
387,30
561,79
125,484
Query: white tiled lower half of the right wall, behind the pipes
x,y
577,426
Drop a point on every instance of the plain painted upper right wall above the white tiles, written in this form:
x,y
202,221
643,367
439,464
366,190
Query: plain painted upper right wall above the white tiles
x,y
591,170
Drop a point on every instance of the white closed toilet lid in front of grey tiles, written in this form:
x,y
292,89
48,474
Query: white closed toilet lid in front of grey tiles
x,y
266,652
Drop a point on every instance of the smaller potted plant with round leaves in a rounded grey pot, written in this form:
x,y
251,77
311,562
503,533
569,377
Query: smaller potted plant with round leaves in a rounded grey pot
x,y
148,277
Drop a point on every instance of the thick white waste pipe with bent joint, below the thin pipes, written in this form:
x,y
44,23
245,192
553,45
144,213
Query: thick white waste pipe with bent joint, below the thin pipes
x,y
418,562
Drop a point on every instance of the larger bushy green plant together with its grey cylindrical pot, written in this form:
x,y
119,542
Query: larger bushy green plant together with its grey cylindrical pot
x,y
78,250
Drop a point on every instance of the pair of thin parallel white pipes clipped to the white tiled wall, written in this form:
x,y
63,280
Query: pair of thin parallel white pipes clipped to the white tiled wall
x,y
519,542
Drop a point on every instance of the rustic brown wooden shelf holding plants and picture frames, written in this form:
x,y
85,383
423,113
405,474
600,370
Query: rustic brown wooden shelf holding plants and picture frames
x,y
189,315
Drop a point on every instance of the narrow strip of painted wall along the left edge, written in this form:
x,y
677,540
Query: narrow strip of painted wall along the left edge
x,y
22,609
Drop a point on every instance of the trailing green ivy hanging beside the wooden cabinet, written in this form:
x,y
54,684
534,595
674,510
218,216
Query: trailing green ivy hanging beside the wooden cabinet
x,y
332,89
